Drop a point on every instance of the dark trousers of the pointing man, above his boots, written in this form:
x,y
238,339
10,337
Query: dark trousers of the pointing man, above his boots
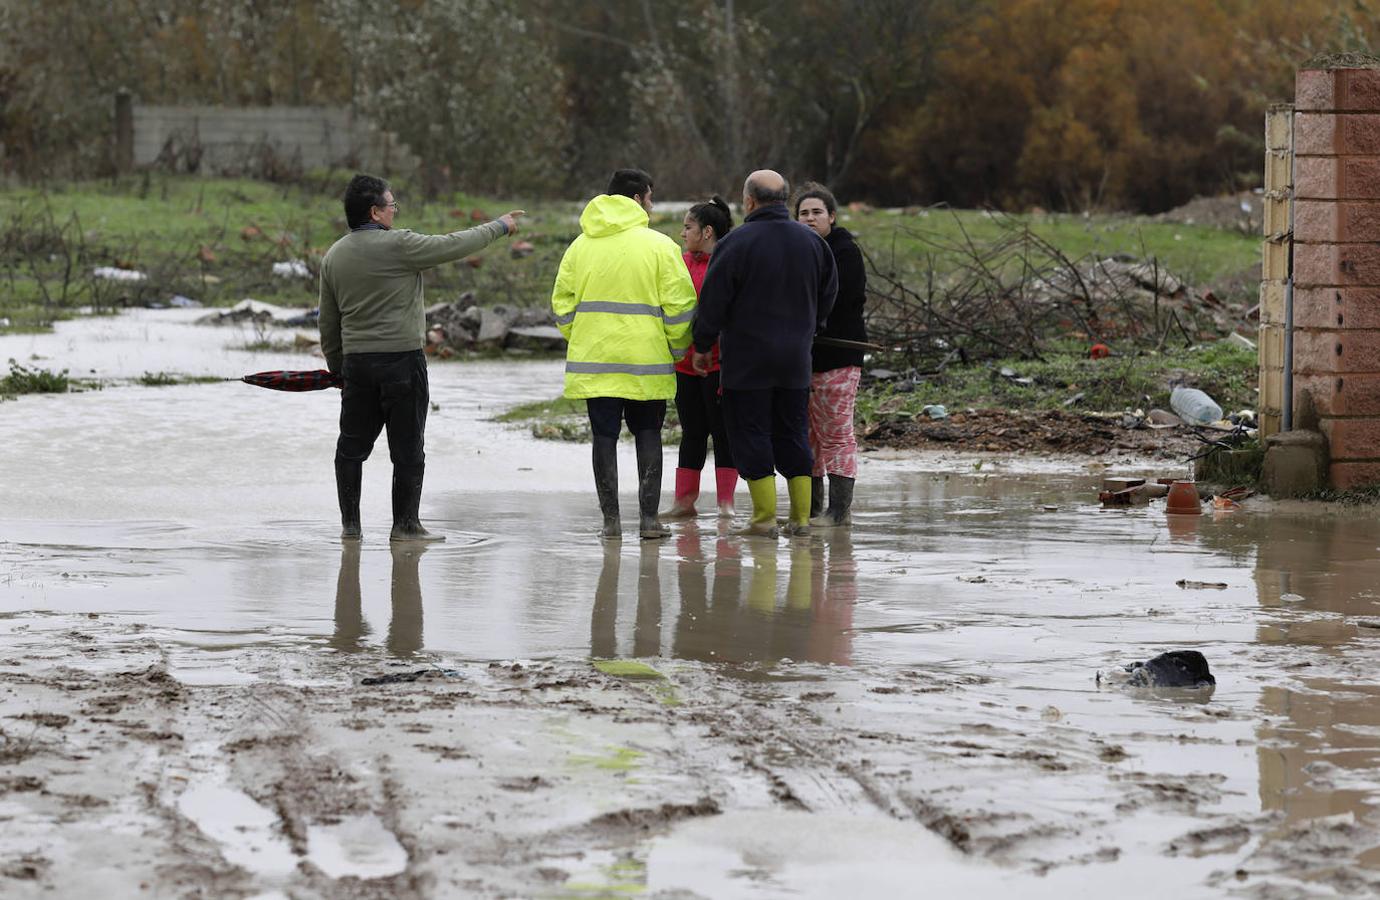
x,y
384,391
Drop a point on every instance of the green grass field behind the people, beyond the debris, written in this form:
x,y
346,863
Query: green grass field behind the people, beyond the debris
x,y
216,239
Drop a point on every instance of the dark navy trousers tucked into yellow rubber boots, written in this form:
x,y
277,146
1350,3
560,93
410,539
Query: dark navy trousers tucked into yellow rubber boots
x,y
769,431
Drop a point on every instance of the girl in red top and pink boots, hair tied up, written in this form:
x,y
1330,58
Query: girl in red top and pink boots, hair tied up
x,y
698,397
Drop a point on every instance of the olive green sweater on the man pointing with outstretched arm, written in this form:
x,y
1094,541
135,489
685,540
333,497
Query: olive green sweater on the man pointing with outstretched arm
x,y
372,288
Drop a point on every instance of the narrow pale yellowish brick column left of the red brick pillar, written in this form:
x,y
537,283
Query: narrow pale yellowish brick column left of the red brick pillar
x,y
1276,266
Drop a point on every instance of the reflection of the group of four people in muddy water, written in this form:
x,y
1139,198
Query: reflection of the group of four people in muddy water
x,y
736,601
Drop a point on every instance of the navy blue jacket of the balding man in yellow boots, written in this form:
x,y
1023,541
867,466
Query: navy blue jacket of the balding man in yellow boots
x,y
771,286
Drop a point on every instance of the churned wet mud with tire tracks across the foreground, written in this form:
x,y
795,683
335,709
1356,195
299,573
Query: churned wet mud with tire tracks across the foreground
x,y
506,781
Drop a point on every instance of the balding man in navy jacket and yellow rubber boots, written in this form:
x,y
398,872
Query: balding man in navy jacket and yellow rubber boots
x,y
771,286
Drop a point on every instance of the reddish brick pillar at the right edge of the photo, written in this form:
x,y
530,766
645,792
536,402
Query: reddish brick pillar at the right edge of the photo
x,y
1337,313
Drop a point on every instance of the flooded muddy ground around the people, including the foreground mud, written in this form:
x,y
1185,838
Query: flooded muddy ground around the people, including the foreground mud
x,y
909,702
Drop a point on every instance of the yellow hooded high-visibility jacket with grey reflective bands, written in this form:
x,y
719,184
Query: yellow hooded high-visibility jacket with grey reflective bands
x,y
624,302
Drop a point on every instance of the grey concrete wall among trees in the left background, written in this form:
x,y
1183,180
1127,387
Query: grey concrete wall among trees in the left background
x,y
219,140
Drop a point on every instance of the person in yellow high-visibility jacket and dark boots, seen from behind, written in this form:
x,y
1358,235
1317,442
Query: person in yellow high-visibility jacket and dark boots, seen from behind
x,y
624,302
